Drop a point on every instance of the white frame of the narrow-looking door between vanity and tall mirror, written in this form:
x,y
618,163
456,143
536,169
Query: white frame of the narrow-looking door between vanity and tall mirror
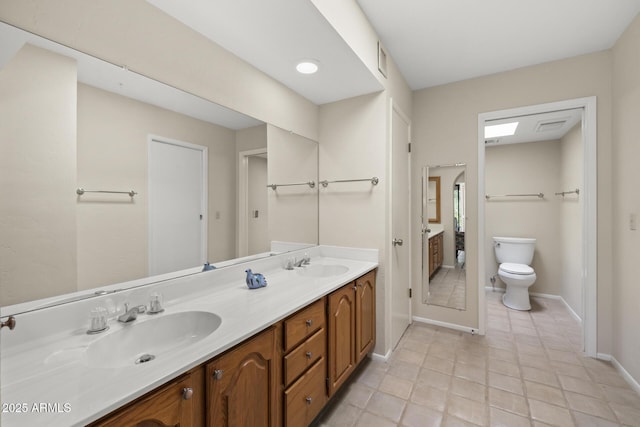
x,y
389,235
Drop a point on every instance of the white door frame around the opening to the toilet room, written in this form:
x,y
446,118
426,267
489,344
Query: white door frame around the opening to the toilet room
x,y
590,211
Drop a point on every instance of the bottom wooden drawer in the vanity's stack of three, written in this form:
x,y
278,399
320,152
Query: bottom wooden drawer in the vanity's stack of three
x,y
306,397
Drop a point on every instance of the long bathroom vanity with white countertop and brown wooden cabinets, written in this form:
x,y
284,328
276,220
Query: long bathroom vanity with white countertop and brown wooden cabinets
x,y
275,357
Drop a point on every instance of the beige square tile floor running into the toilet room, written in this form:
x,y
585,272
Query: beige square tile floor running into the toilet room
x,y
527,371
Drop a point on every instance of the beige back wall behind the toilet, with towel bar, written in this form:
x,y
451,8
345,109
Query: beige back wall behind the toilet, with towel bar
x,y
532,167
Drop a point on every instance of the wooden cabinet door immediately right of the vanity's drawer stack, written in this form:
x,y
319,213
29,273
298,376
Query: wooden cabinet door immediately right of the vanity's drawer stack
x,y
341,336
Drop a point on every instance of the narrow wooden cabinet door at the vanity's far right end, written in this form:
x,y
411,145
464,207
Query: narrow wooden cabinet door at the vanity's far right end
x,y
365,314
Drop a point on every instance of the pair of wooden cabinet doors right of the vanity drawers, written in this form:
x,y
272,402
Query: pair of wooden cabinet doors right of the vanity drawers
x,y
351,324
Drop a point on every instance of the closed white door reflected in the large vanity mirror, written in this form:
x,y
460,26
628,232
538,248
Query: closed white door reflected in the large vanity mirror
x,y
177,206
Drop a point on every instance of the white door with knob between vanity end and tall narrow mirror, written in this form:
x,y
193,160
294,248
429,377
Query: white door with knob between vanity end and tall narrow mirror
x,y
400,226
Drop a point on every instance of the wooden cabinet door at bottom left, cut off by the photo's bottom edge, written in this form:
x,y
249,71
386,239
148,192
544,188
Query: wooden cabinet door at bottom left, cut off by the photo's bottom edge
x,y
172,405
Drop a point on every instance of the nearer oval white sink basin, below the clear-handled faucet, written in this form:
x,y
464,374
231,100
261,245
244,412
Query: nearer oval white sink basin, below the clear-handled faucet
x,y
150,337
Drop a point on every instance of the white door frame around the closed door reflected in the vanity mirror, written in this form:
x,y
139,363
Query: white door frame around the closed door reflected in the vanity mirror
x,y
204,196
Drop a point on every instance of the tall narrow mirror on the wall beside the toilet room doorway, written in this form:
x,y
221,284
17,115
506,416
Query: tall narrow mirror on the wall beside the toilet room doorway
x,y
443,242
